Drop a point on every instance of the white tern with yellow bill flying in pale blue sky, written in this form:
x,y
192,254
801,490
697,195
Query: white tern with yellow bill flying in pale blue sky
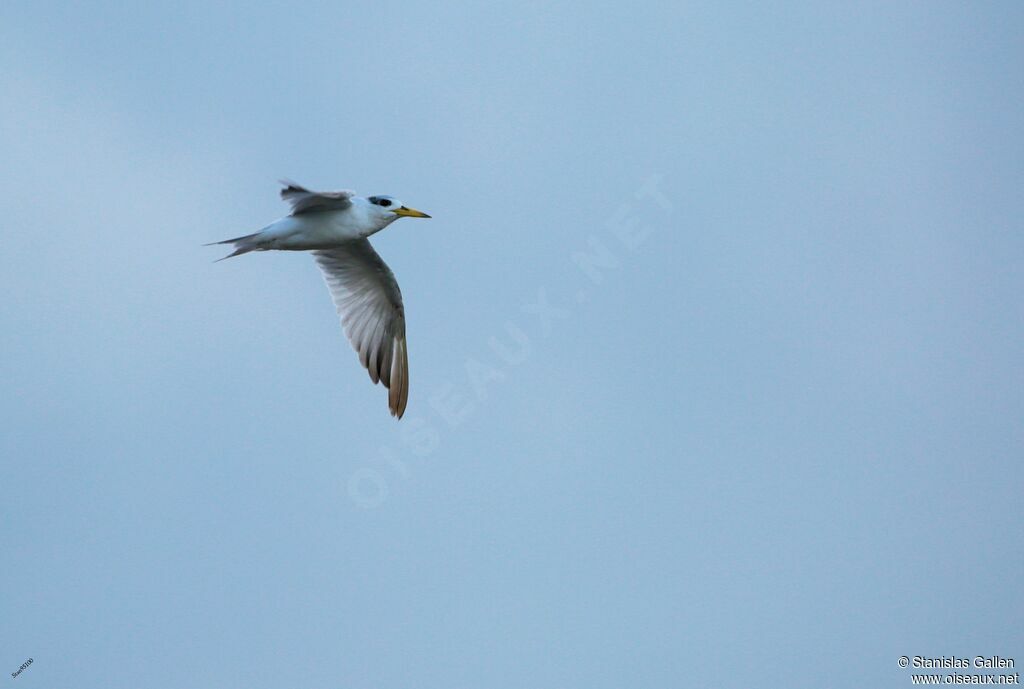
x,y
334,226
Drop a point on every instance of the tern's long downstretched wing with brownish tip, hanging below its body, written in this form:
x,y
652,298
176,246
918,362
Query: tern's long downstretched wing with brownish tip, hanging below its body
x,y
369,303
